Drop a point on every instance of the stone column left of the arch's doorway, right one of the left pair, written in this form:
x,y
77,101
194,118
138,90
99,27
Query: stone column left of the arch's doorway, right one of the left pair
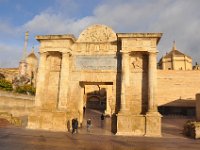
x,y
64,81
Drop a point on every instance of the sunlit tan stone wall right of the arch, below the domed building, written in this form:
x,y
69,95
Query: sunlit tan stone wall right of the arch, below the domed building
x,y
177,87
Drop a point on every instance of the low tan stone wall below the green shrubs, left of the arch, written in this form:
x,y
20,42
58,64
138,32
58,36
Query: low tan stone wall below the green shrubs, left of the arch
x,y
16,104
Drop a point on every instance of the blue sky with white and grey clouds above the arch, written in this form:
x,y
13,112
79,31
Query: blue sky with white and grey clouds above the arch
x,y
179,20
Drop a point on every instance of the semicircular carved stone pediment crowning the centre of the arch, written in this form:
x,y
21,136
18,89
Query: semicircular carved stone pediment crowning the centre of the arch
x,y
97,33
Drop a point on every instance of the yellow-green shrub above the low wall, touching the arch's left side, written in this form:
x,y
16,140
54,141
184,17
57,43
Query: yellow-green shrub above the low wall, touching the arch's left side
x,y
26,89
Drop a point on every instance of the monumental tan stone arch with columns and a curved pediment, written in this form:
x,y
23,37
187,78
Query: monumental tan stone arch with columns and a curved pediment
x,y
123,64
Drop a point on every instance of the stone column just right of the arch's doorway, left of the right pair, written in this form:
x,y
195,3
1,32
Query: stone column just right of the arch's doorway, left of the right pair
x,y
124,79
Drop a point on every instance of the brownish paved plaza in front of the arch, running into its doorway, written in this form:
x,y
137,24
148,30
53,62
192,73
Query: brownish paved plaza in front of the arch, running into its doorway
x,y
99,138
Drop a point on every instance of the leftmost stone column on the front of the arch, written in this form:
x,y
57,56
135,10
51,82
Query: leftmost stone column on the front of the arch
x,y
40,85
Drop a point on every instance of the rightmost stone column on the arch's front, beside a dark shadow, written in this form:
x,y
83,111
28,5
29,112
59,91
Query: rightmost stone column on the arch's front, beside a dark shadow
x,y
152,80
